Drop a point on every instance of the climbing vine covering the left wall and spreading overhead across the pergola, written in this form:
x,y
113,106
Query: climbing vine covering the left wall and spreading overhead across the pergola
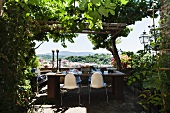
x,y
24,21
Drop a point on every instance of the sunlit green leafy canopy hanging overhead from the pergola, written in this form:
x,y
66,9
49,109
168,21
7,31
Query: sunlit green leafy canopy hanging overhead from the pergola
x,y
72,15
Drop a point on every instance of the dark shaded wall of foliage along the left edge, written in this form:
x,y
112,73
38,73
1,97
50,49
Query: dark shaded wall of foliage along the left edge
x,y
16,53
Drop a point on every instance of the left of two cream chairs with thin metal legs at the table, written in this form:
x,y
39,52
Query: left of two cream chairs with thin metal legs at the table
x,y
69,84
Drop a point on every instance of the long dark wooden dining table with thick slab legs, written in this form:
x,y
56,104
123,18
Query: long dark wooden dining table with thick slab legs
x,y
117,84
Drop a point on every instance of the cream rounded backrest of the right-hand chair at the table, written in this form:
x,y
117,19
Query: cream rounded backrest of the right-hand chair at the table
x,y
97,80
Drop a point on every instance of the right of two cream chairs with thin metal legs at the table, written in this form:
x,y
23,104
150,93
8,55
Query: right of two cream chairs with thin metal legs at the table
x,y
97,82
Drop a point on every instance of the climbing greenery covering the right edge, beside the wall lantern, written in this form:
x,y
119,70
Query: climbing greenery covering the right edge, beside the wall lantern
x,y
152,78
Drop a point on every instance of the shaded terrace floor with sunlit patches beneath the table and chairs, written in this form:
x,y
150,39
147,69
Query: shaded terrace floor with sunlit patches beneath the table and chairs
x,y
98,102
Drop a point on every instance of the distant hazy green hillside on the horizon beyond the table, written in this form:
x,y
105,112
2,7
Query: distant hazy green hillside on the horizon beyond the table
x,y
79,57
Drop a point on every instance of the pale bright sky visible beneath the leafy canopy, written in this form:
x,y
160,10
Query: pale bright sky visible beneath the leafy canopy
x,y
82,44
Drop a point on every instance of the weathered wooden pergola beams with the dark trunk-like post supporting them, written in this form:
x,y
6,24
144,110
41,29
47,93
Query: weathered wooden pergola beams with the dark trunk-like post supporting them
x,y
112,29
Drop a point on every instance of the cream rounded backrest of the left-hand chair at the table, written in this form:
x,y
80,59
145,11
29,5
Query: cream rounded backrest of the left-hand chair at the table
x,y
70,81
